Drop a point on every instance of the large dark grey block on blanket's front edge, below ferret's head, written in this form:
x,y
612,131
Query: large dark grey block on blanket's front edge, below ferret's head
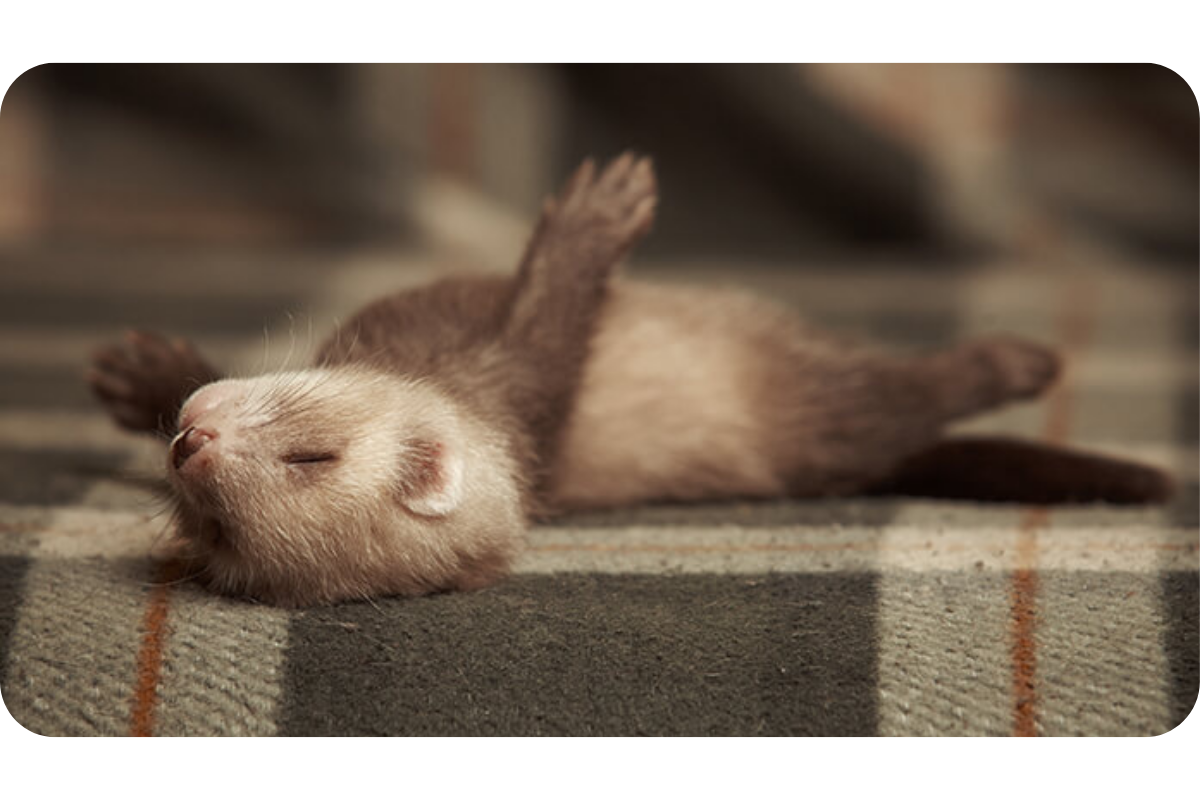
x,y
595,657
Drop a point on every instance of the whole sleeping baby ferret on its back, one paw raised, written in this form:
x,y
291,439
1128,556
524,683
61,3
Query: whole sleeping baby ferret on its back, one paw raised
x,y
442,420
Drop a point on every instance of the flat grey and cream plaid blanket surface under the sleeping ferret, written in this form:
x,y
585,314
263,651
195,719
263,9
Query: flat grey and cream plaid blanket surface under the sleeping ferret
x,y
849,618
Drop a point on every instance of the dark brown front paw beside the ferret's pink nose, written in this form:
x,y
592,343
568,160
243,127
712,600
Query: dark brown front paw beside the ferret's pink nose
x,y
145,380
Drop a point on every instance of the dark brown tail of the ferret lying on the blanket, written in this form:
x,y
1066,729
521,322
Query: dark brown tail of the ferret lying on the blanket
x,y
1011,471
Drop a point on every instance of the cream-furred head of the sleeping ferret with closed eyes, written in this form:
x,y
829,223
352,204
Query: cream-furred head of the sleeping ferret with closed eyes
x,y
335,484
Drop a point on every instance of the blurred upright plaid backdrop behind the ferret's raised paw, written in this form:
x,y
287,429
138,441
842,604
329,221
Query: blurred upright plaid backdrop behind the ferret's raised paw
x,y
785,161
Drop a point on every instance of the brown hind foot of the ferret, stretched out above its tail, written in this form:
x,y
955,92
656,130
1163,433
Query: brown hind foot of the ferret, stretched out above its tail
x,y
987,374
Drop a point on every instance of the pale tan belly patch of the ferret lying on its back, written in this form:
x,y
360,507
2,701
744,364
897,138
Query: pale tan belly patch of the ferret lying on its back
x,y
669,408
